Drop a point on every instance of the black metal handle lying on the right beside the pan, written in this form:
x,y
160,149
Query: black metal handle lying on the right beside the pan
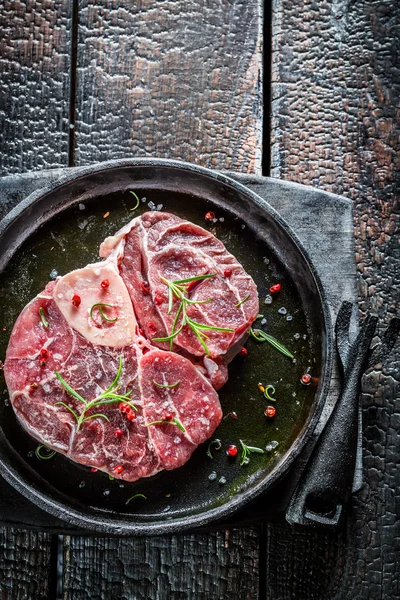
x,y
326,483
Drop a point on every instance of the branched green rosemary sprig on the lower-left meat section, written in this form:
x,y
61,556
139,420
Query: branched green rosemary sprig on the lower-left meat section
x,y
109,396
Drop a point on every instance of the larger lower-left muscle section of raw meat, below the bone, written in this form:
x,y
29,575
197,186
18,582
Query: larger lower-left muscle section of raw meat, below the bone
x,y
89,369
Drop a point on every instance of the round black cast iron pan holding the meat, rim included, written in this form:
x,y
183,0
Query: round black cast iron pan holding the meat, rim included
x,y
59,228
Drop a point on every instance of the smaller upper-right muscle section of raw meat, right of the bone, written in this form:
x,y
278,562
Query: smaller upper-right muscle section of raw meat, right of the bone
x,y
160,245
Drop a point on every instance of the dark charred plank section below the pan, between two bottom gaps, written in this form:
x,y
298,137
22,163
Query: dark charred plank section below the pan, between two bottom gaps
x,y
222,565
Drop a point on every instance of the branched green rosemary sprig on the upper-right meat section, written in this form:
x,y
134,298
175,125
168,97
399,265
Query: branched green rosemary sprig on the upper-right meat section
x,y
179,289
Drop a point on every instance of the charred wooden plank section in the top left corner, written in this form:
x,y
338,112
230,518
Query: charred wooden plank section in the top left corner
x,y
34,84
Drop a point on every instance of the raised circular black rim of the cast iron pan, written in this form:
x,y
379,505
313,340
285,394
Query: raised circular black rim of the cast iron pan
x,y
106,523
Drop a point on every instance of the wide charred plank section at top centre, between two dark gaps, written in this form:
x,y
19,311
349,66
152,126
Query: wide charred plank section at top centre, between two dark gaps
x,y
167,78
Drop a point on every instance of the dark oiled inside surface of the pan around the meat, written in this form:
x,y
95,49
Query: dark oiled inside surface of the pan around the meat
x,y
70,239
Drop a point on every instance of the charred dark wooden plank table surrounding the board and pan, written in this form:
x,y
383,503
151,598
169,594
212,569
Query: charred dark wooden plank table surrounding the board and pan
x,y
305,90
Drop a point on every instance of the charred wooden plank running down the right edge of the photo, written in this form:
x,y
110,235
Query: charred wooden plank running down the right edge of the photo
x,y
335,108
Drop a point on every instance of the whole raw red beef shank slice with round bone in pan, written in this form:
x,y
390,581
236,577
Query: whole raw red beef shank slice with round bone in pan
x,y
86,376
